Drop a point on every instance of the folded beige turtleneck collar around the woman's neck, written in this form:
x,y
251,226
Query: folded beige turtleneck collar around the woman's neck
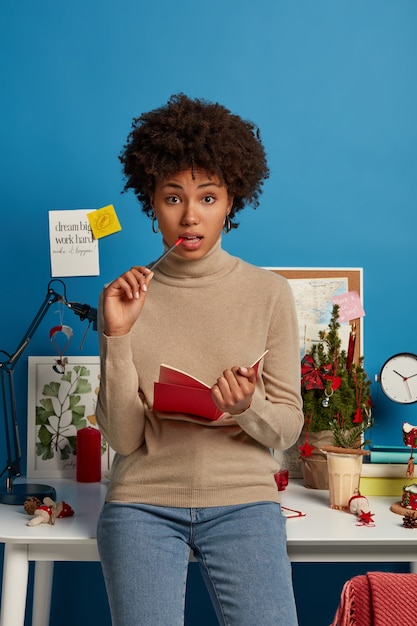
x,y
216,263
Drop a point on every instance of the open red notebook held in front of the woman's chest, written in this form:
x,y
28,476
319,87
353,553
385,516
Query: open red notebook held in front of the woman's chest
x,y
178,392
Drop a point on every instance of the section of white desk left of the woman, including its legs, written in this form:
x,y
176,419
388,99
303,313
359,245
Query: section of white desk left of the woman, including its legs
x,y
70,539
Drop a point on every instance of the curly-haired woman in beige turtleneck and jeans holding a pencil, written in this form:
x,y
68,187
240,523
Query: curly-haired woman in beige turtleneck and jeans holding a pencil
x,y
179,481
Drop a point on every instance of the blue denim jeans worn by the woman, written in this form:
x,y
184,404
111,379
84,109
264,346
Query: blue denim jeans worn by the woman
x,y
241,551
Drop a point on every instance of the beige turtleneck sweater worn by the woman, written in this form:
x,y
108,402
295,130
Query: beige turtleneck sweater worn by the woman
x,y
202,317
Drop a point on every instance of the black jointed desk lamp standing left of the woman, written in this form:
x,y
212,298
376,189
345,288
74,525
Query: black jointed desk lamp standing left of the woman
x,y
17,494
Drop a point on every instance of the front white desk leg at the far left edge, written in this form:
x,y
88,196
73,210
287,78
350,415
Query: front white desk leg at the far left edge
x,y
15,582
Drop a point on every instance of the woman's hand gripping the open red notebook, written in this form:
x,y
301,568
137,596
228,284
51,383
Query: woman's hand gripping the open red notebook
x,y
233,390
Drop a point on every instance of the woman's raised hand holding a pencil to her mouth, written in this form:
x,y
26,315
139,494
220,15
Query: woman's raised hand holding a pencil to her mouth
x,y
124,299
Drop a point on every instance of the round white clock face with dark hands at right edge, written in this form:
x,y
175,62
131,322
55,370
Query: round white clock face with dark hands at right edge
x,y
398,378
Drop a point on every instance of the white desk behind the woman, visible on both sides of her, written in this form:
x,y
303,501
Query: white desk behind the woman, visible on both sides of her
x,y
323,535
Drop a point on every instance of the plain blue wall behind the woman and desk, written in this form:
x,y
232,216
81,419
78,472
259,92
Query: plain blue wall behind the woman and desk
x,y
333,88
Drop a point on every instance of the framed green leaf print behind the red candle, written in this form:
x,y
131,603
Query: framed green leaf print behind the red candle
x,y
62,399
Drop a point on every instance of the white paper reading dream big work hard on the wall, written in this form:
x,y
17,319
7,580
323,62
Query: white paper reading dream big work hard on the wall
x,y
73,249
